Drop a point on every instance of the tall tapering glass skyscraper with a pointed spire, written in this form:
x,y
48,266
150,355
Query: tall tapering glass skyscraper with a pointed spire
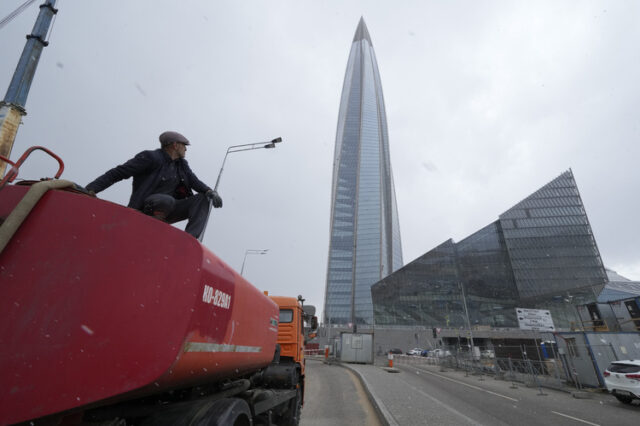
x,y
365,234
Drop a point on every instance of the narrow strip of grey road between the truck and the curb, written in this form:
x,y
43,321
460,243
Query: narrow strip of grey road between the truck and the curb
x,y
335,397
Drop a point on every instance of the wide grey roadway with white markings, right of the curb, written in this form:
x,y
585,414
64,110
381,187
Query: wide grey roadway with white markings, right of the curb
x,y
426,395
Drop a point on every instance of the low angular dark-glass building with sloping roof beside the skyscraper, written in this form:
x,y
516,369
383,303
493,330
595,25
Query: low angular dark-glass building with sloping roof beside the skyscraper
x,y
539,254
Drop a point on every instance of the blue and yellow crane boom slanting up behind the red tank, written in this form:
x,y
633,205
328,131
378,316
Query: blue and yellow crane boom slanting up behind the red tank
x,y
12,108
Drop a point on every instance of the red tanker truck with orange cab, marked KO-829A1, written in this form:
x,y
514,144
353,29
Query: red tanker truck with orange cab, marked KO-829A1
x,y
111,317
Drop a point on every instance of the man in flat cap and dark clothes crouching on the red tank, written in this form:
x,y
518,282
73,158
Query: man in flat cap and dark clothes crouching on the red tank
x,y
163,184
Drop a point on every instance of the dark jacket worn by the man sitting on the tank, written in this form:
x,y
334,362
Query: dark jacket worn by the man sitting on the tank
x,y
148,169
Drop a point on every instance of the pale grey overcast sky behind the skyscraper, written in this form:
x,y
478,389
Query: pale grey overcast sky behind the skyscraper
x,y
486,102
